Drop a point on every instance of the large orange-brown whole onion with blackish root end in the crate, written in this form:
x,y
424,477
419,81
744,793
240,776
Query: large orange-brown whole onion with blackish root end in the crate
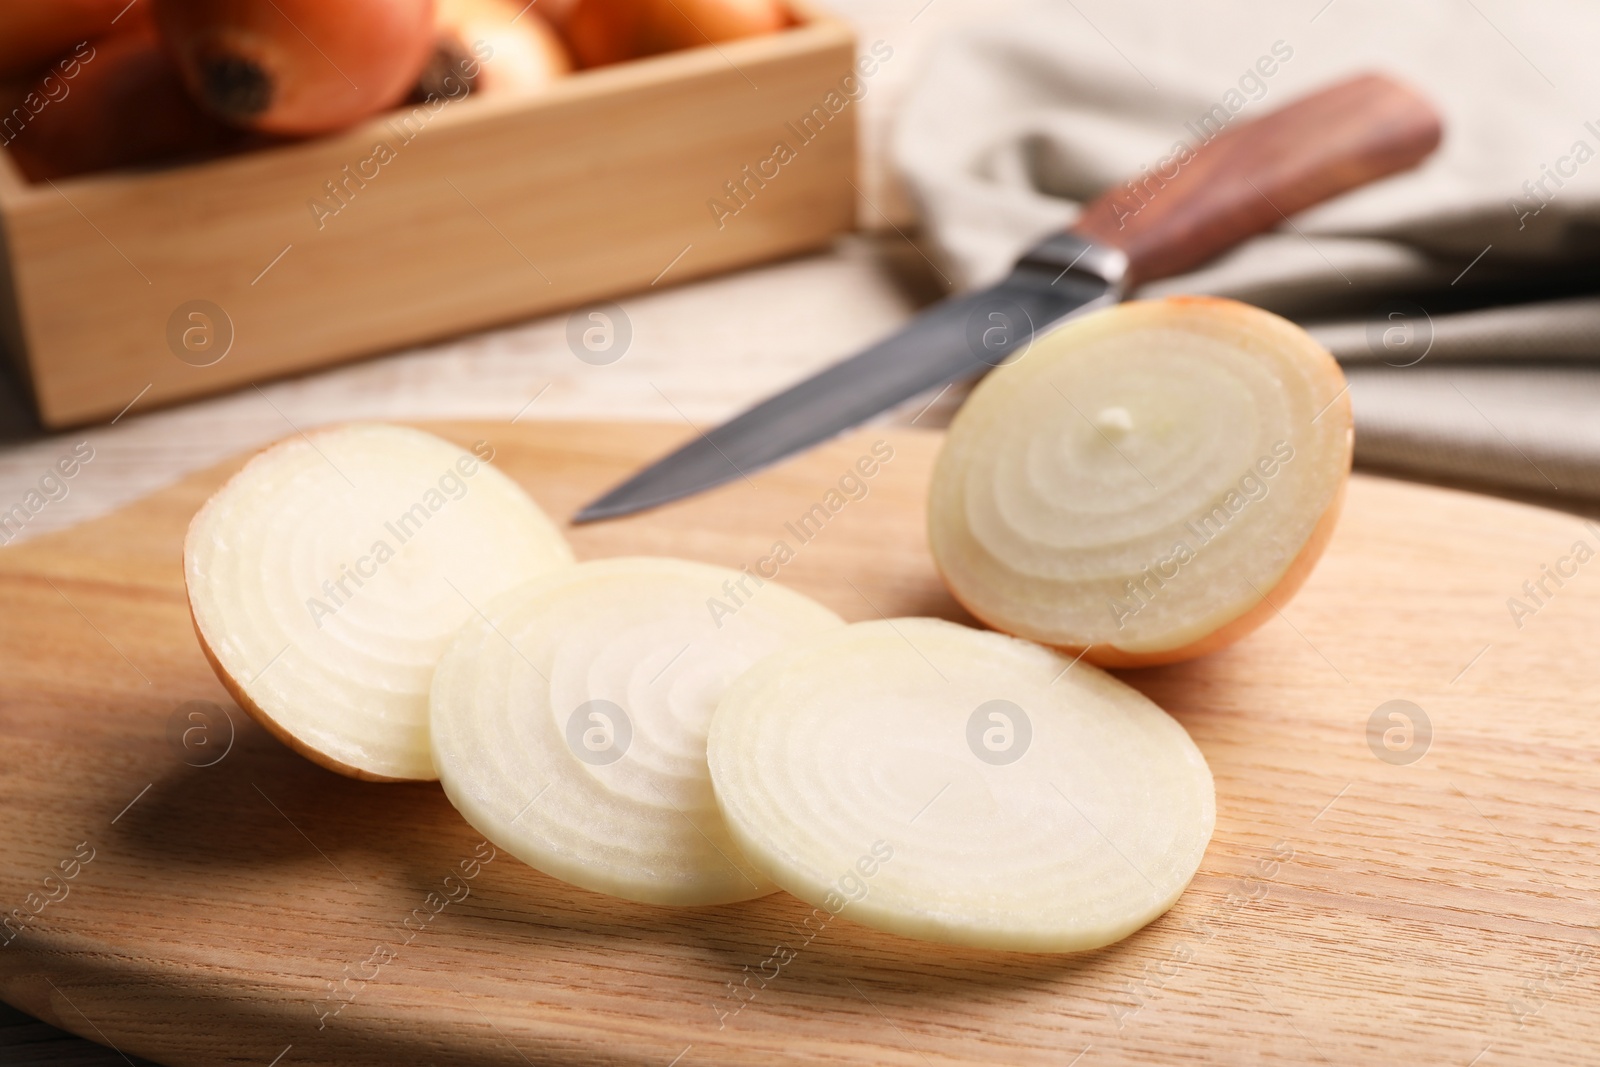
x,y
298,66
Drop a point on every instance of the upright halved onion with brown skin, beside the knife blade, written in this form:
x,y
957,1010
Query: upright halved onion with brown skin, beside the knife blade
x,y
1145,482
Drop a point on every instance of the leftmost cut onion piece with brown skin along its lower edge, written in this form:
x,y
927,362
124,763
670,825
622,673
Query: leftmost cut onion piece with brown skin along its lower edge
x,y
329,575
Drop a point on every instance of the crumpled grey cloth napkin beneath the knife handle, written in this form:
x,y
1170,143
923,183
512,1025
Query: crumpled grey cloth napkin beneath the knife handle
x,y
1460,297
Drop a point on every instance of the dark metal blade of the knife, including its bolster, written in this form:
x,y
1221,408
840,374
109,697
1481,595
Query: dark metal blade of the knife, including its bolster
x,y
959,338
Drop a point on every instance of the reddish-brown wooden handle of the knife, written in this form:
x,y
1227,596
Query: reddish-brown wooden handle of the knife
x,y
1252,177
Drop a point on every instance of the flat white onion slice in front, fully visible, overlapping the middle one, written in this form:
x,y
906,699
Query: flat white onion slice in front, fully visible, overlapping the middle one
x,y
961,786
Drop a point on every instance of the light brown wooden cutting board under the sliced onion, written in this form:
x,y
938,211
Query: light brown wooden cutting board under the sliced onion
x,y
1351,908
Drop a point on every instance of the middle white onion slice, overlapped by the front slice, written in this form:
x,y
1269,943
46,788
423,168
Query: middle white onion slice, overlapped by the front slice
x,y
570,722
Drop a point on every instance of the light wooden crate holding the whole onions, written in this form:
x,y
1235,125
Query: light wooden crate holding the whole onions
x,y
481,214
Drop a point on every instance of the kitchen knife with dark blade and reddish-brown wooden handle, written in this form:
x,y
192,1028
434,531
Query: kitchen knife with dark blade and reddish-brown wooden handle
x,y
1199,202
